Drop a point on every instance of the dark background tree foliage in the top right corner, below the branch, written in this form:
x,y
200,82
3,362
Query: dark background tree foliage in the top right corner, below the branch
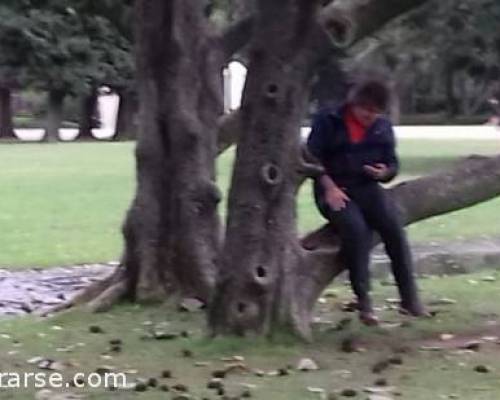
x,y
443,57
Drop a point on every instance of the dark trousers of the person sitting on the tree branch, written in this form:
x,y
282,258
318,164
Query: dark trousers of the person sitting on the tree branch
x,y
370,209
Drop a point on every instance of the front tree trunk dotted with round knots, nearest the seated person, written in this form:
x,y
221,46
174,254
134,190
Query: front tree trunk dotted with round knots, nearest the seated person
x,y
255,289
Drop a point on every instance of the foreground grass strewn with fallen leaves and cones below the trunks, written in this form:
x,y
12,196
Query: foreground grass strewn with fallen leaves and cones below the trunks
x,y
423,375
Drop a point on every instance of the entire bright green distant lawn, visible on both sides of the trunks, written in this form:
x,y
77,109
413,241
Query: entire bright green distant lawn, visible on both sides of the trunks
x,y
64,204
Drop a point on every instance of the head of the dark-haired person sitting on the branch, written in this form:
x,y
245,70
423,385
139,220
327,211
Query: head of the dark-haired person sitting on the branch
x,y
369,99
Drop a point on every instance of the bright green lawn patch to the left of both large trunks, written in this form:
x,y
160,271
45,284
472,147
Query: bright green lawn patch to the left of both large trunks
x,y
63,204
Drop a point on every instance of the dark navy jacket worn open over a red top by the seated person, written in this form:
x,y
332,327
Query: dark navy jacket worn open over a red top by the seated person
x,y
343,160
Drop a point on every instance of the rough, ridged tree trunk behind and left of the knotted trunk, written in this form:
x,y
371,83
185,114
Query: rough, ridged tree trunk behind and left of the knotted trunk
x,y
172,229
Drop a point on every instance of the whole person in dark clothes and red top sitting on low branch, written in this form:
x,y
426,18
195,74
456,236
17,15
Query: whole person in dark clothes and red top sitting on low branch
x,y
356,146
